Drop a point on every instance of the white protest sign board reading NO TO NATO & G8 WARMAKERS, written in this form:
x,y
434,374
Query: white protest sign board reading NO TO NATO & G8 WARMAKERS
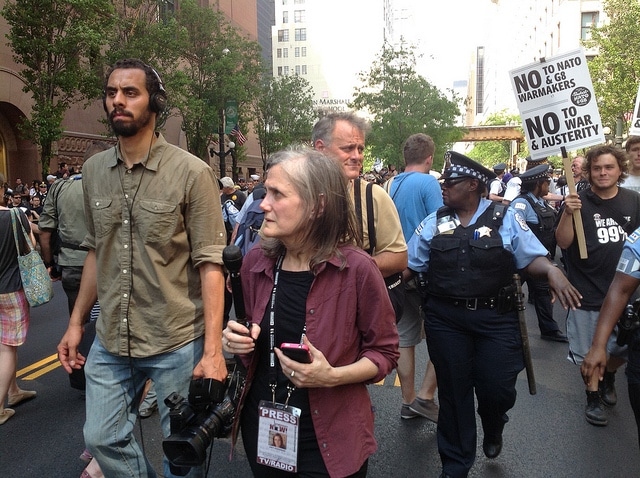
x,y
557,104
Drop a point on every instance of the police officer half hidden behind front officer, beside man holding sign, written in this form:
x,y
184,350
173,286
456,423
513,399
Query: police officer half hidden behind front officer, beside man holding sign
x,y
541,219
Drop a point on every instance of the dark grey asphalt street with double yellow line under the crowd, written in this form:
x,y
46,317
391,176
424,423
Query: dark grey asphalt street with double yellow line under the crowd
x,y
547,434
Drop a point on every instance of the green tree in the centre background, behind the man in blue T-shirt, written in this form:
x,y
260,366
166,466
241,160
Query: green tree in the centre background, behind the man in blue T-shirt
x,y
402,103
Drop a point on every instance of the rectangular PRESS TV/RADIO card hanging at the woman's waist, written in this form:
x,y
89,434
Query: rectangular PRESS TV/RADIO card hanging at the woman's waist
x,y
278,428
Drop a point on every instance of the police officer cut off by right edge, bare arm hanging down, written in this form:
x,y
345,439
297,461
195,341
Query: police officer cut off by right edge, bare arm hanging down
x,y
625,284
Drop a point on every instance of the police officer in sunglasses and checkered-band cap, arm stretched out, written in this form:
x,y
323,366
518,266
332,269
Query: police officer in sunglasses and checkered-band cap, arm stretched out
x,y
467,253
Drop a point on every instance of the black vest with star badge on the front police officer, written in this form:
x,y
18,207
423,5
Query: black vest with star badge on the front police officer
x,y
463,266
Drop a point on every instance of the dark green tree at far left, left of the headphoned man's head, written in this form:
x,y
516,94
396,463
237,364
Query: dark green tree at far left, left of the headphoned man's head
x,y
58,44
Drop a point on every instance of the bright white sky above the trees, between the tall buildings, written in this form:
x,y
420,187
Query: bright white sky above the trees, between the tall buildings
x,y
451,31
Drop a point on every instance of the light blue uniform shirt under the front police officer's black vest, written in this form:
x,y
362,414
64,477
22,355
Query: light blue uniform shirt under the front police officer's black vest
x,y
517,238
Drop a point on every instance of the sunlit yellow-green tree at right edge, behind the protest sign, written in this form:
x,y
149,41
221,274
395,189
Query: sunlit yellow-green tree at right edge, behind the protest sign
x,y
615,71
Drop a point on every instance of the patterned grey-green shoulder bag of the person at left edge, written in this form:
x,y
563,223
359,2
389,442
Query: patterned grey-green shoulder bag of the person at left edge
x,y
36,282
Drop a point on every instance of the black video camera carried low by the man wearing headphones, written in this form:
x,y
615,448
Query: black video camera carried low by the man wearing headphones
x,y
207,414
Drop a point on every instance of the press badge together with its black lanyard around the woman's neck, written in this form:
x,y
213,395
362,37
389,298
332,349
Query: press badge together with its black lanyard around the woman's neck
x,y
276,420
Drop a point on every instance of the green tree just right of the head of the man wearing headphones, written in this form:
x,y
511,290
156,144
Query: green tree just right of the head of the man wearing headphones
x,y
216,64
